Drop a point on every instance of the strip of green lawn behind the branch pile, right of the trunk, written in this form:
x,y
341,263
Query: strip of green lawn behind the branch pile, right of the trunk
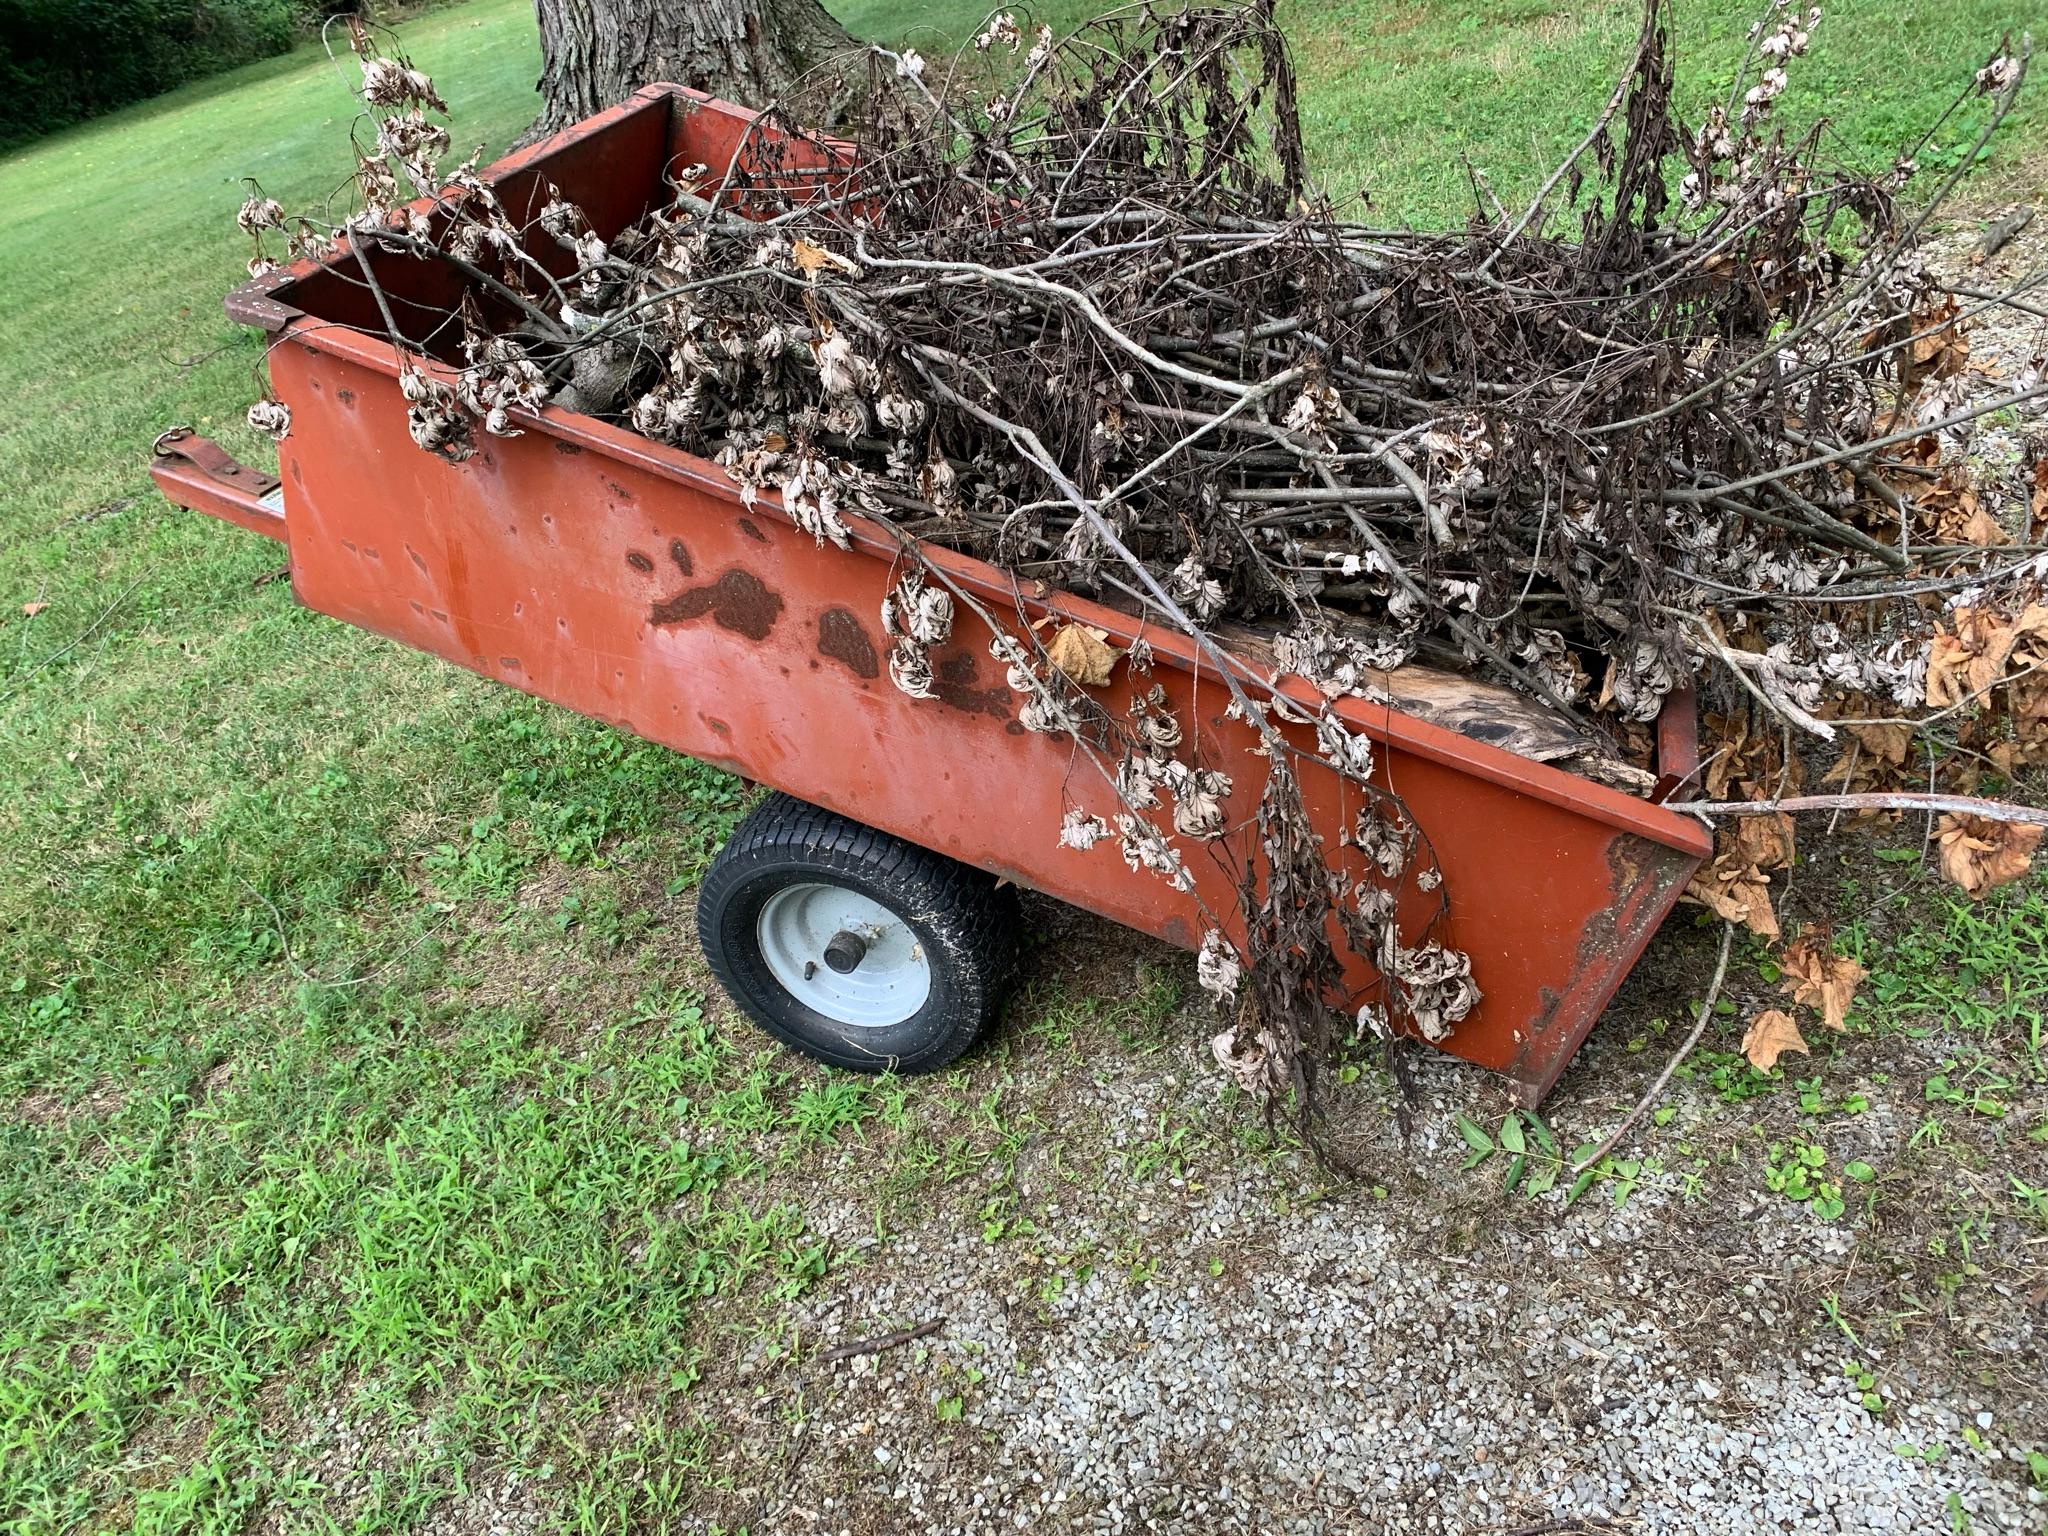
x,y
1404,95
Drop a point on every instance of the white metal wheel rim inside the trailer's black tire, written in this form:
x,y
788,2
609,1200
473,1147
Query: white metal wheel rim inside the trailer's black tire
x,y
888,986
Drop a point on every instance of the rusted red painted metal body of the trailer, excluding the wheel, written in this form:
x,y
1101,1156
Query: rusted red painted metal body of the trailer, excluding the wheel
x,y
1555,884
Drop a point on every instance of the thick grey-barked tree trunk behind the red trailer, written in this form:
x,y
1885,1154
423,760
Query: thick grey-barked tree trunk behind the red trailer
x,y
599,52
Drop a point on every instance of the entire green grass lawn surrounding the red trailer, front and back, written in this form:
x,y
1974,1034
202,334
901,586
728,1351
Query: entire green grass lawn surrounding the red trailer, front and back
x,y
351,1037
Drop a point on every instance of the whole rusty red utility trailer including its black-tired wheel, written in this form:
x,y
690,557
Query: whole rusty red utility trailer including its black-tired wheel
x,y
861,914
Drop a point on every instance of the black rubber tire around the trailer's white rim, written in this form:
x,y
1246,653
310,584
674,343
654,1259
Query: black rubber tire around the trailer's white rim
x,y
966,923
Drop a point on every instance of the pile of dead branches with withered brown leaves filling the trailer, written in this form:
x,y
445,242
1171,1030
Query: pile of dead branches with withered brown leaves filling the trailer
x,y
1699,409
